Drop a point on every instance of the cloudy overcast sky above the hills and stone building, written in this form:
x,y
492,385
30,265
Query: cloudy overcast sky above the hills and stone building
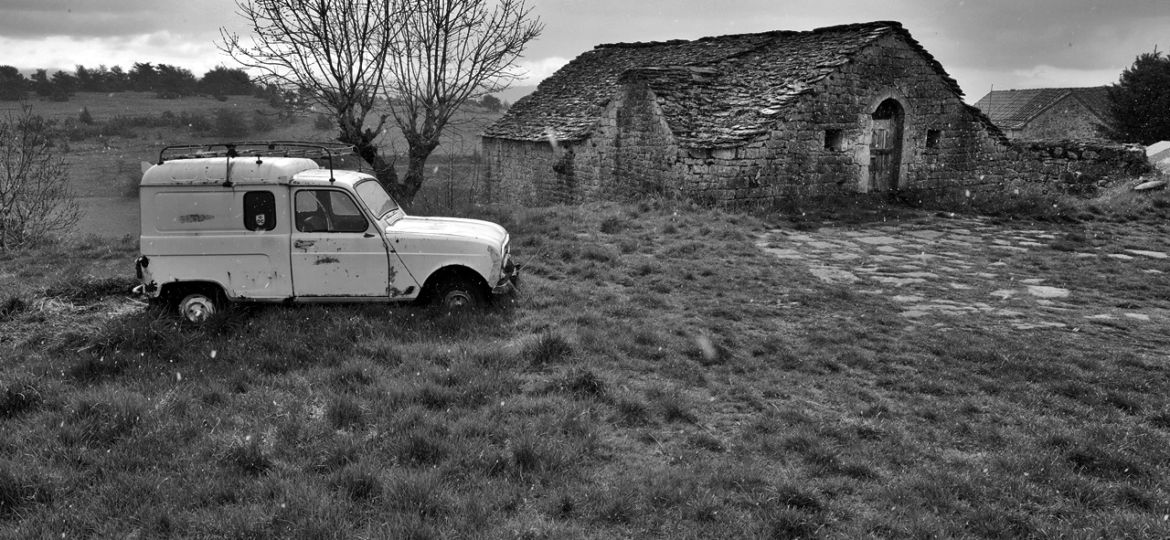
x,y
1006,44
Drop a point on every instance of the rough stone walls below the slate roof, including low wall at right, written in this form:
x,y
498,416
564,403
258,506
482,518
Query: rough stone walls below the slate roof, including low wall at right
x,y
946,144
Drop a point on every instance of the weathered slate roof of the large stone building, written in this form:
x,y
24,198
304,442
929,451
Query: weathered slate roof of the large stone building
x,y
714,92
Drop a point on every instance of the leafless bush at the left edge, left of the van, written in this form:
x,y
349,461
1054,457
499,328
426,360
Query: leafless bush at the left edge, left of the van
x,y
36,202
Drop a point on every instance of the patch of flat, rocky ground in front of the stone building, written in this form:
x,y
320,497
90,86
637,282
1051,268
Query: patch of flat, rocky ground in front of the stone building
x,y
969,271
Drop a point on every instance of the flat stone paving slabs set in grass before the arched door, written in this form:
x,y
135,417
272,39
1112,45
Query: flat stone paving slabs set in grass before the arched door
x,y
951,268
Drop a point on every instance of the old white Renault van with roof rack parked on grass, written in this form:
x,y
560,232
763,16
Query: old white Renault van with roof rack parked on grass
x,y
265,223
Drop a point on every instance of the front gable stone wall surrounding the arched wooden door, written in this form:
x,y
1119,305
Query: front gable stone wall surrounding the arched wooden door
x,y
793,162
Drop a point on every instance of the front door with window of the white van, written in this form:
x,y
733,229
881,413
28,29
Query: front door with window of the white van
x,y
336,253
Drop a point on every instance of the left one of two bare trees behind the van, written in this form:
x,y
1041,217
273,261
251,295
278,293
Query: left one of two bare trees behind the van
x,y
335,51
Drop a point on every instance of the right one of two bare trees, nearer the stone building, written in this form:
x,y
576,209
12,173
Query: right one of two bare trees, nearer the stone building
x,y
449,52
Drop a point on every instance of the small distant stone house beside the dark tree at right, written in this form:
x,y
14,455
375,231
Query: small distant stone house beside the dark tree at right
x,y
1049,113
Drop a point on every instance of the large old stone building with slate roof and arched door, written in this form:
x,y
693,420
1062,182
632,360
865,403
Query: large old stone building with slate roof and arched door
x,y
741,119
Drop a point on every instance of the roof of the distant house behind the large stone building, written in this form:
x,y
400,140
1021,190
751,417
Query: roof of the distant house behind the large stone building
x,y
1014,109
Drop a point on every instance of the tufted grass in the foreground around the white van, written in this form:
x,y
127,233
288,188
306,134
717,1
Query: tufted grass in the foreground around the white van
x,y
660,377
